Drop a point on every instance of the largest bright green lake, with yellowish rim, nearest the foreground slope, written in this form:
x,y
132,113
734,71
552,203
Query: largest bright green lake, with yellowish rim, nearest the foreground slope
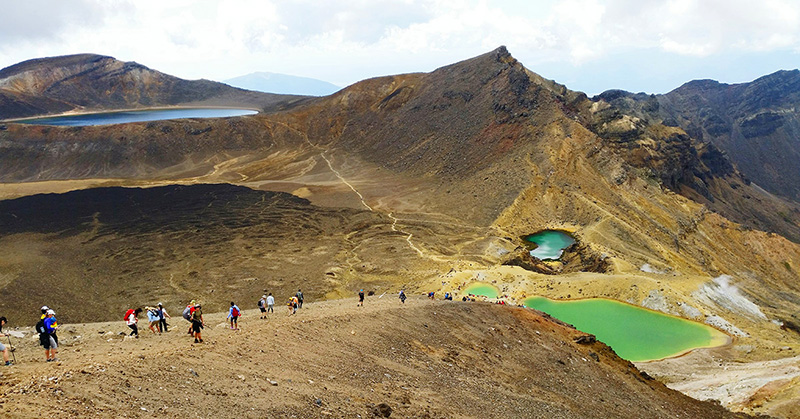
x,y
635,334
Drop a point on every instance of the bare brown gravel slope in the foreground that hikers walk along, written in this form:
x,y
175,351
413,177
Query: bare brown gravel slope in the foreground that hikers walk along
x,y
333,359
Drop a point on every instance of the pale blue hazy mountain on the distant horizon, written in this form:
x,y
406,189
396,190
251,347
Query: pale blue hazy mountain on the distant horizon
x,y
283,84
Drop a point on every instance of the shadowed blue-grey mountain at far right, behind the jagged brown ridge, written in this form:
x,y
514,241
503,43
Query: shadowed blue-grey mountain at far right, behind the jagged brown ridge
x,y
755,124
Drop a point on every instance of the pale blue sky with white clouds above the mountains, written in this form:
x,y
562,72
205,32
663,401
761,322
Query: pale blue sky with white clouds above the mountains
x,y
589,45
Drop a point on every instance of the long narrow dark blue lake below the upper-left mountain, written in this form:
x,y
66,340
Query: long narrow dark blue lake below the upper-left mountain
x,y
122,117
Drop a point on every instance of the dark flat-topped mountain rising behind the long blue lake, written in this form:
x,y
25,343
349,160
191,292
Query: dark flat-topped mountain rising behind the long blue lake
x,y
89,82
